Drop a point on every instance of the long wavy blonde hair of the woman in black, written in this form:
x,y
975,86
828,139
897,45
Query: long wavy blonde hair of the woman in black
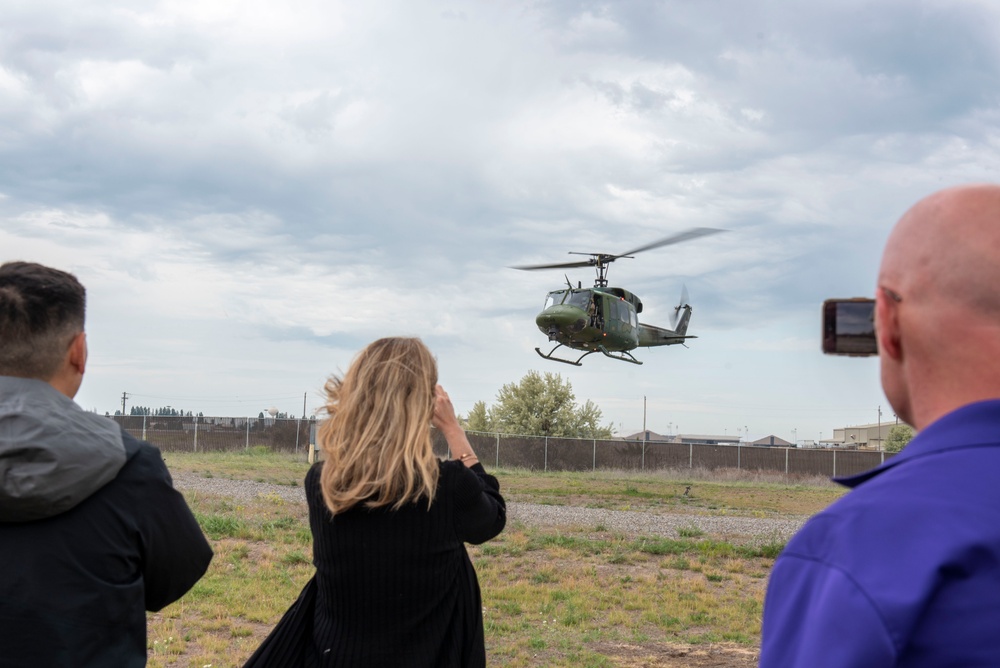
x,y
377,438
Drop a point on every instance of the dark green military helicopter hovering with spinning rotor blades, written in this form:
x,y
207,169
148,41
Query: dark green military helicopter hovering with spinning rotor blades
x,y
604,319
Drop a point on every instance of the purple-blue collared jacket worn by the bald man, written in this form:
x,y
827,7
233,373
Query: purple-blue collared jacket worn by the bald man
x,y
905,569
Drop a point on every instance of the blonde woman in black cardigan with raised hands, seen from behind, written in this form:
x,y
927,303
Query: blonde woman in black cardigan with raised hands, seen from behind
x,y
394,585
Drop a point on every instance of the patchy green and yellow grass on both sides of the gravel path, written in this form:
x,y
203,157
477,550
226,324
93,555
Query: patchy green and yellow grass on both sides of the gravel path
x,y
573,596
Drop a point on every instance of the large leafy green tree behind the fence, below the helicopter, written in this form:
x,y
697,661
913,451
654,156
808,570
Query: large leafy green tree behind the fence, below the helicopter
x,y
539,406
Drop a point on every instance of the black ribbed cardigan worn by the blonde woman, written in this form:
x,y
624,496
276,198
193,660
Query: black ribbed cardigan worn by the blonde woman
x,y
395,588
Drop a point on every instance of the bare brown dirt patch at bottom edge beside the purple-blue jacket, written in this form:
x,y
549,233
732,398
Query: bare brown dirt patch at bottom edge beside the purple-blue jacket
x,y
660,655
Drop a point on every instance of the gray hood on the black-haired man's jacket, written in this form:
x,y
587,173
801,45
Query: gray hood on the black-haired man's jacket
x,y
53,454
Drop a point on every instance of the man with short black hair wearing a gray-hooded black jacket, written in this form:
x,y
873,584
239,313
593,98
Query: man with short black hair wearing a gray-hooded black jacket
x,y
92,532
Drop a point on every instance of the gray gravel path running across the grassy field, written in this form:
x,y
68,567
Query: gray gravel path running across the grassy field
x,y
629,522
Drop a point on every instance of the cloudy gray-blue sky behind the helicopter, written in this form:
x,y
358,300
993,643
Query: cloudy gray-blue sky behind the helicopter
x,y
251,191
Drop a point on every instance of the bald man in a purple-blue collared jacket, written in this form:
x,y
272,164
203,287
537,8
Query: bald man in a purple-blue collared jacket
x,y
905,569
